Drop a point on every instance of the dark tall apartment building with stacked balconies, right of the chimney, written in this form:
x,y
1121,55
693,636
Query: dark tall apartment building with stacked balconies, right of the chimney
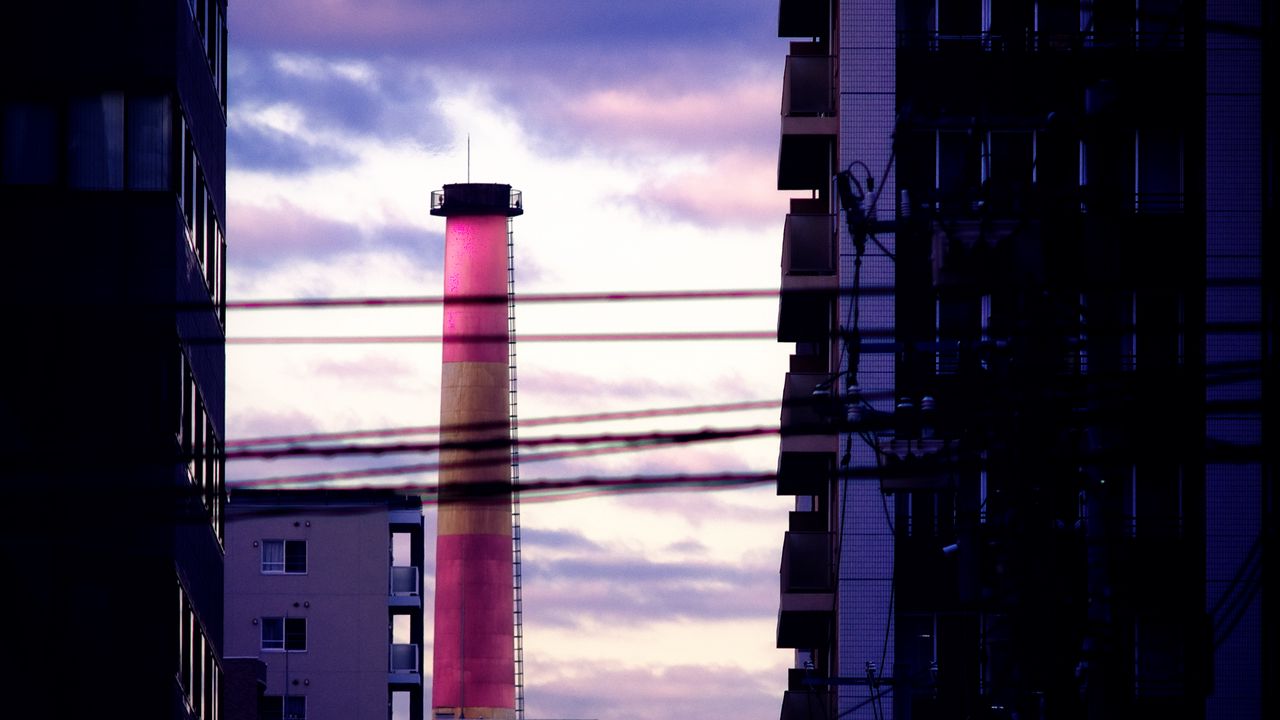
x,y
1027,423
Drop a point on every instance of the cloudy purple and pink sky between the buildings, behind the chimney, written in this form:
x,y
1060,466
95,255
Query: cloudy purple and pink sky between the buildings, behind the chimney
x,y
644,138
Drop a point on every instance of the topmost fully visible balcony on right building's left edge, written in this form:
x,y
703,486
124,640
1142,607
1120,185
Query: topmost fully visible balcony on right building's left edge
x,y
810,125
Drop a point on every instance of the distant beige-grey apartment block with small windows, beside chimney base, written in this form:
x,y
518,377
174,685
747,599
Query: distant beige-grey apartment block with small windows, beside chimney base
x,y
326,587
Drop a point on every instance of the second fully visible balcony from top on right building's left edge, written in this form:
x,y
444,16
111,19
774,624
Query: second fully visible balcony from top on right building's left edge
x,y
810,280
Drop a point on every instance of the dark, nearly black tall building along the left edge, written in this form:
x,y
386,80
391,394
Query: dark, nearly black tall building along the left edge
x,y
113,119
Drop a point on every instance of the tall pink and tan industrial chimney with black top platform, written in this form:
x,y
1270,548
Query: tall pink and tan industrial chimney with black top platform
x,y
474,668
